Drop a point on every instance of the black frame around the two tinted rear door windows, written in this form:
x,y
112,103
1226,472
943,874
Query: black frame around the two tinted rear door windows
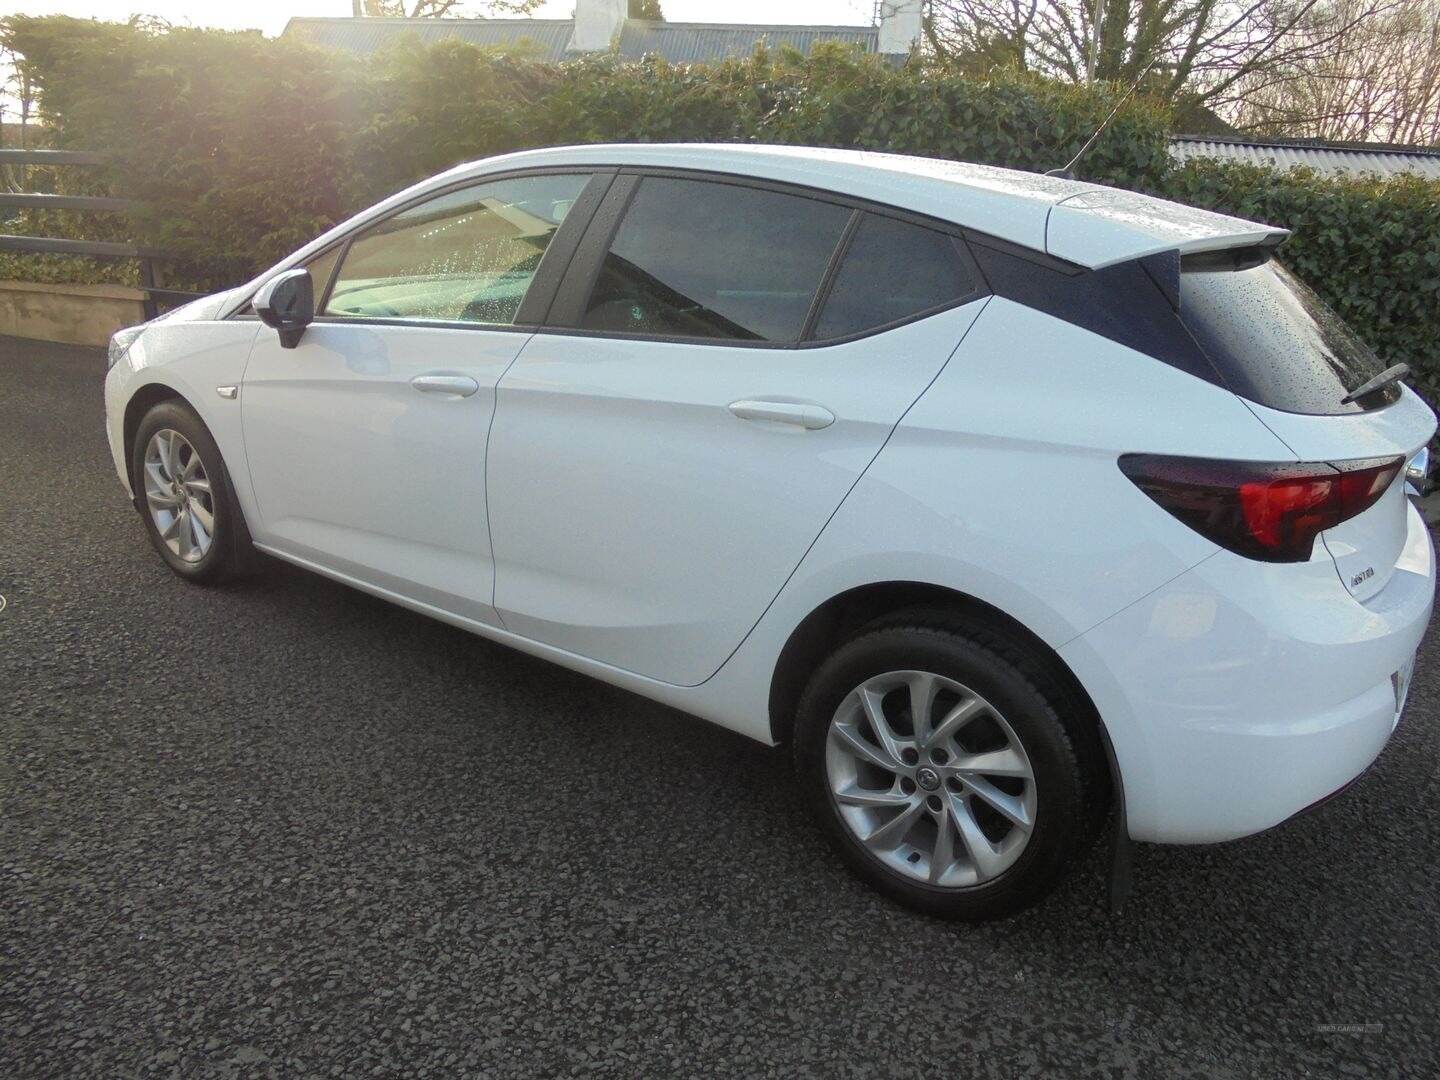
x,y
588,263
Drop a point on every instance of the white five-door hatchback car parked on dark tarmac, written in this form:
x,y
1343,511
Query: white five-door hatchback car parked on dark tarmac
x,y
1003,499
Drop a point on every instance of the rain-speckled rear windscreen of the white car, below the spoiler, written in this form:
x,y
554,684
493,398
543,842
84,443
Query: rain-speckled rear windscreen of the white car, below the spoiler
x,y
1271,338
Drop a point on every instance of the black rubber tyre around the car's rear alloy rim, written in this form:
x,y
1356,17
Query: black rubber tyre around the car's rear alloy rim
x,y
1071,777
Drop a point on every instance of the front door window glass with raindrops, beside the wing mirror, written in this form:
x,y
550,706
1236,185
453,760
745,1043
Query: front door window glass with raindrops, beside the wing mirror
x,y
464,257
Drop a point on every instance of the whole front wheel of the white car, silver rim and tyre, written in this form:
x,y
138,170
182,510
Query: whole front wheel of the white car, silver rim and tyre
x,y
185,496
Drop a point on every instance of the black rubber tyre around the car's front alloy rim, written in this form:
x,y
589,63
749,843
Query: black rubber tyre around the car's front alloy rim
x,y
230,552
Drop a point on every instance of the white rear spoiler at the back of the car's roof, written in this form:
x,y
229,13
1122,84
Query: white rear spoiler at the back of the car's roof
x,y
1105,225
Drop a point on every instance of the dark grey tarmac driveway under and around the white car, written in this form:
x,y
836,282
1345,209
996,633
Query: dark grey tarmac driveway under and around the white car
x,y
290,830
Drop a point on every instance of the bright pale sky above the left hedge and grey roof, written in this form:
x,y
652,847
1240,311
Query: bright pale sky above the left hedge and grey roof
x,y
270,17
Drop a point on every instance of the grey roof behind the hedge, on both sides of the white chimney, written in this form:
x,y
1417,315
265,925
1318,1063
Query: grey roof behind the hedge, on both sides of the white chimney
x,y
678,42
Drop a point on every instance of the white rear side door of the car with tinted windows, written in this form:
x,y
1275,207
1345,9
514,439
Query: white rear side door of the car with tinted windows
x,y
669,447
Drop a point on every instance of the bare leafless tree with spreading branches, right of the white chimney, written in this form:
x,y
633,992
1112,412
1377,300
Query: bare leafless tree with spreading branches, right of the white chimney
x,y
1199,54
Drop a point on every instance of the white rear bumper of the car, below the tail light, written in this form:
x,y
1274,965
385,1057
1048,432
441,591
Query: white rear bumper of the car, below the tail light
x,y
1242,693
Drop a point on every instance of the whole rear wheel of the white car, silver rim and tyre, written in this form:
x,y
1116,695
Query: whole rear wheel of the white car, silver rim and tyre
x,y
945,770
